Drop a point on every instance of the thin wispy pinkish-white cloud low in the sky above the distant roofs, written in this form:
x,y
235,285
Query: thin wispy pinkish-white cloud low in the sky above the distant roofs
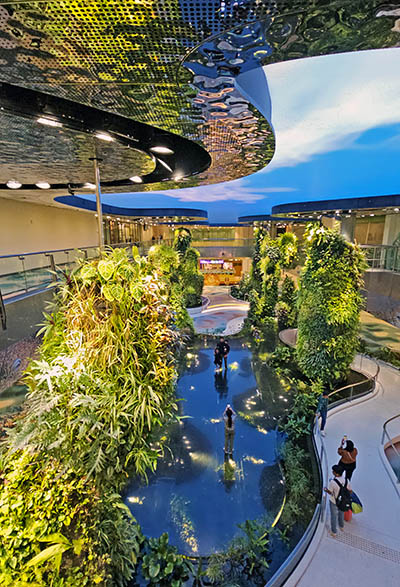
x,y
237,190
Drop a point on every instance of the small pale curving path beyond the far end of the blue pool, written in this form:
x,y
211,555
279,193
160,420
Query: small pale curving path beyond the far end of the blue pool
x,y
224,314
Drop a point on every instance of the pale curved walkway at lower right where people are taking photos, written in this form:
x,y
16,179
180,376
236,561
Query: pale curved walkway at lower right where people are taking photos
x,y
367,553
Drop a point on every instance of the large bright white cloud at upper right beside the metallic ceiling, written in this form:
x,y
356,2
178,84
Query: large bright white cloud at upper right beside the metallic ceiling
x,y
323,104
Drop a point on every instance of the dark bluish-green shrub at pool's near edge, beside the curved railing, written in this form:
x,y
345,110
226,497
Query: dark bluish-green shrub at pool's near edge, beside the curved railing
x,y
245,560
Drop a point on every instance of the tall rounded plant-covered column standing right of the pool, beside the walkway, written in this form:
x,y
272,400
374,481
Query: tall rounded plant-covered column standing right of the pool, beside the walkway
x,y
329,305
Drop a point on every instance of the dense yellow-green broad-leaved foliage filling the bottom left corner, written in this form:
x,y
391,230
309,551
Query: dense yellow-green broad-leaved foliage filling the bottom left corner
x,y
48,516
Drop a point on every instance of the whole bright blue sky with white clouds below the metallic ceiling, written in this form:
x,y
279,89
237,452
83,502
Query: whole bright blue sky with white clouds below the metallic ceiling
x,y
337,124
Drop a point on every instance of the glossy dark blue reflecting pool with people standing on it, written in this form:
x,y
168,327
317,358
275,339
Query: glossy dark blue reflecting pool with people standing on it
x,y
198,495
